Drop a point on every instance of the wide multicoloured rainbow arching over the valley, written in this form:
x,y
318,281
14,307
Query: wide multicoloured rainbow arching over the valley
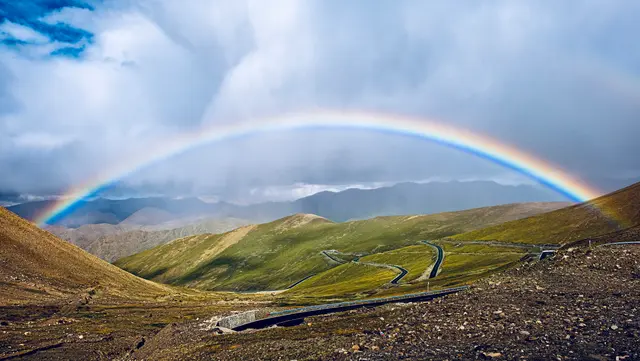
x,y
461,139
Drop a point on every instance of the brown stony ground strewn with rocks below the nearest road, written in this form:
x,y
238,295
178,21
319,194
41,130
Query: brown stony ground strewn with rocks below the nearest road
x,y
581,305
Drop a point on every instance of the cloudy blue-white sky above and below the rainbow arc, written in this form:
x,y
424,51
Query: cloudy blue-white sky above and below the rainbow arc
x,y
83,84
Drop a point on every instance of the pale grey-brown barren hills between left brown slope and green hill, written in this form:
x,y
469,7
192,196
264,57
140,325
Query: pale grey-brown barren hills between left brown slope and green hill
x,y
111,242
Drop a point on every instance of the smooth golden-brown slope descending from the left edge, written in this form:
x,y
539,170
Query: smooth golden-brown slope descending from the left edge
x,y
36,266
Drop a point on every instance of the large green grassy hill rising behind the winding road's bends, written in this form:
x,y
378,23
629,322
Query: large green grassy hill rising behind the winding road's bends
x,y
276,254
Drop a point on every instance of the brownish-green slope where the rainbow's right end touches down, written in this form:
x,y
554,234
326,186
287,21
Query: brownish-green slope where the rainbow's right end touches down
x,y
568,224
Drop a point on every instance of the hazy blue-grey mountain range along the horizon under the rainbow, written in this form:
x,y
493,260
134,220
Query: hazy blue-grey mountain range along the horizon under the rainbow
x,y
351,204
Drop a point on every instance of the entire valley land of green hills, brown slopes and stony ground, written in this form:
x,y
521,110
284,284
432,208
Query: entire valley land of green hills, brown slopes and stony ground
x,y
59,301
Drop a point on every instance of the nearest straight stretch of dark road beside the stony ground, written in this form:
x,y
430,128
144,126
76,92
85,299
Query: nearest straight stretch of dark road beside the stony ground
x,y
297,315
